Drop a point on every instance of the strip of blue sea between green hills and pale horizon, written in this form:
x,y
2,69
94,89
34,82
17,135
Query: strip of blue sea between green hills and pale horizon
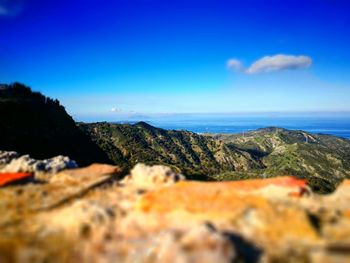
x,y
331,124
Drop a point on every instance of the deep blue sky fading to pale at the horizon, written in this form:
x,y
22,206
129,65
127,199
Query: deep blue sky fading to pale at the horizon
x,y
108,58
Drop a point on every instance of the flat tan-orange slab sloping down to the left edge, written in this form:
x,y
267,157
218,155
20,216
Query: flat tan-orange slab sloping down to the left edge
x,y
22,201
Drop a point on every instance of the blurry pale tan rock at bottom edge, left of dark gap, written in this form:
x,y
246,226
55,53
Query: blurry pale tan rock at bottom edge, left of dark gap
x,y
198,244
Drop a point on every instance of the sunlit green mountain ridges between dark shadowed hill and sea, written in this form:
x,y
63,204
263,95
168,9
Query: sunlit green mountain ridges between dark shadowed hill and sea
x,y
323,160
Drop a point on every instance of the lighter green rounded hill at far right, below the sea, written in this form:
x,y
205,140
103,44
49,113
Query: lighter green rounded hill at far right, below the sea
x,y
323,159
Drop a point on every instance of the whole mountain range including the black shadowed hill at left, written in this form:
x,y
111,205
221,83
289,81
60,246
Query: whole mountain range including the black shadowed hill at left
x,y
31,123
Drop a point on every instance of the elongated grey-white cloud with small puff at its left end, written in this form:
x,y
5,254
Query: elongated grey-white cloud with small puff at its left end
x,y
272,63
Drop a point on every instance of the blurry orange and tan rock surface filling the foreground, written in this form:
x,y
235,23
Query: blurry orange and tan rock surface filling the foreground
x,y
154,215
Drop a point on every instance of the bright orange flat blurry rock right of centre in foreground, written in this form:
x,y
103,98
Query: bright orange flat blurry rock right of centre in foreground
x,y
217,202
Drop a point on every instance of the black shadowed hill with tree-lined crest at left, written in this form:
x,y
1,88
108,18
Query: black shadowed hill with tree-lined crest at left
x,y
31,123
